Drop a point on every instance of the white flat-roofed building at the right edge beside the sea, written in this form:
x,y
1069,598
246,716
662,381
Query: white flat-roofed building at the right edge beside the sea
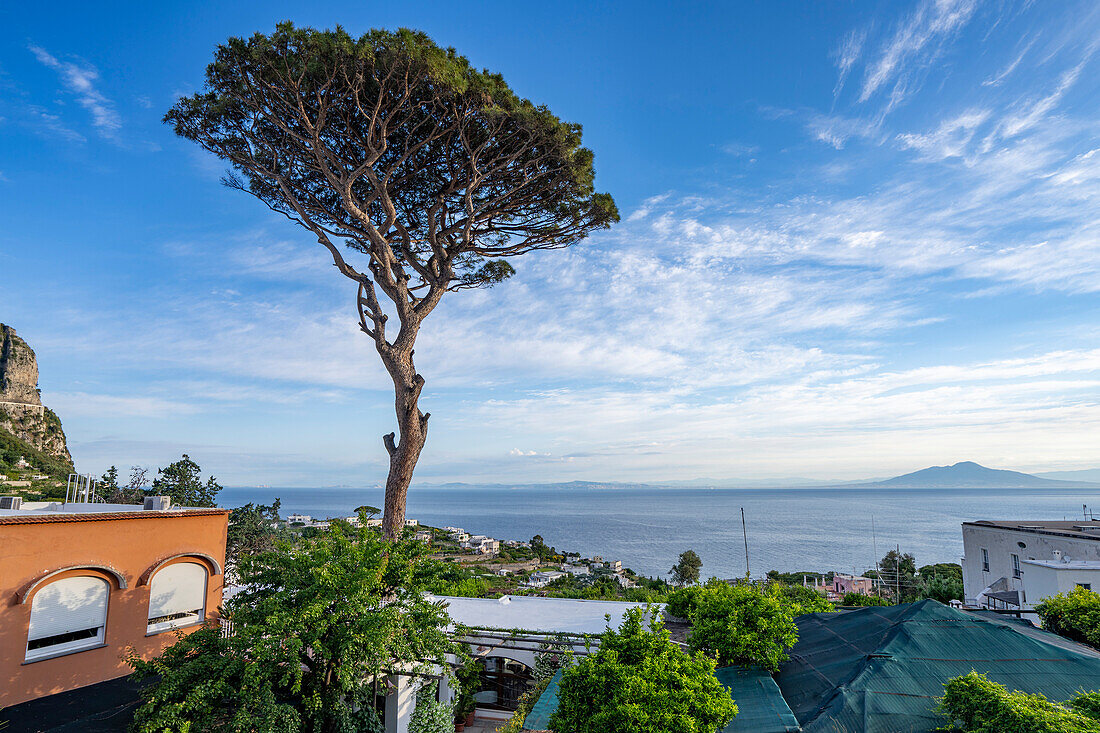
x,y
1015,565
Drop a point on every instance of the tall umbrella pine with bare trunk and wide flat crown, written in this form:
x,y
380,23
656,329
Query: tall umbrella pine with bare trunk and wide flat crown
x,y
435,172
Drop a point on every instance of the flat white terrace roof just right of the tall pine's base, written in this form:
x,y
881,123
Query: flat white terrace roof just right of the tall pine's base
x,y
532,614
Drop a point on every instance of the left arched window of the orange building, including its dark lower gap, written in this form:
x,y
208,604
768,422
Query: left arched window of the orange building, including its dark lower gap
x,y
68,616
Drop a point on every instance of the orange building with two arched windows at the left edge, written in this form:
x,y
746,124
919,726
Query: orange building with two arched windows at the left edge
x,y
83,585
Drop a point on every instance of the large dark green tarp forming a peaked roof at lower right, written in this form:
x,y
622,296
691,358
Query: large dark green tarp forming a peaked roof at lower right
x,y
882,670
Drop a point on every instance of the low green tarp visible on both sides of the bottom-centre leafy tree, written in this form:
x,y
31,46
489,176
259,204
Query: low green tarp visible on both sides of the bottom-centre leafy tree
x,y
760,704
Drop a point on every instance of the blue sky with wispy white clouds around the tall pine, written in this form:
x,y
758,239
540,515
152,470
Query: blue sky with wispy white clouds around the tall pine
x,y
857,239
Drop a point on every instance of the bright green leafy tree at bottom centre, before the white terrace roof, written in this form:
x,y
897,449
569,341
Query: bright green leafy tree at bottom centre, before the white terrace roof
x,y
640,682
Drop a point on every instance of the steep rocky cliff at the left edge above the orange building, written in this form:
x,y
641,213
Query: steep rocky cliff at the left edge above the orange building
x,y
21,411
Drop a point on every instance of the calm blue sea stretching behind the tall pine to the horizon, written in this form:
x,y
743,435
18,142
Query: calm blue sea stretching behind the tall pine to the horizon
x,y
788,530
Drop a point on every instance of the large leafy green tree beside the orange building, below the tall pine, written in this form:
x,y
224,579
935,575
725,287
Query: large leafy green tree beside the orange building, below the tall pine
x,y
314,622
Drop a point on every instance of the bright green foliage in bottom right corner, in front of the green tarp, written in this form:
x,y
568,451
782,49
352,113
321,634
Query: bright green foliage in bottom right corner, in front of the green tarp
x,y
976,705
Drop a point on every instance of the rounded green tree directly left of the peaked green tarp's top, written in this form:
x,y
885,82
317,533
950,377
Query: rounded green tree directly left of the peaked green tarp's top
x,y
744,626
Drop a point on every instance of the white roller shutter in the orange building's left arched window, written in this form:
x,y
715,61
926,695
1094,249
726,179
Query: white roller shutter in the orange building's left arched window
x,y
69,606
